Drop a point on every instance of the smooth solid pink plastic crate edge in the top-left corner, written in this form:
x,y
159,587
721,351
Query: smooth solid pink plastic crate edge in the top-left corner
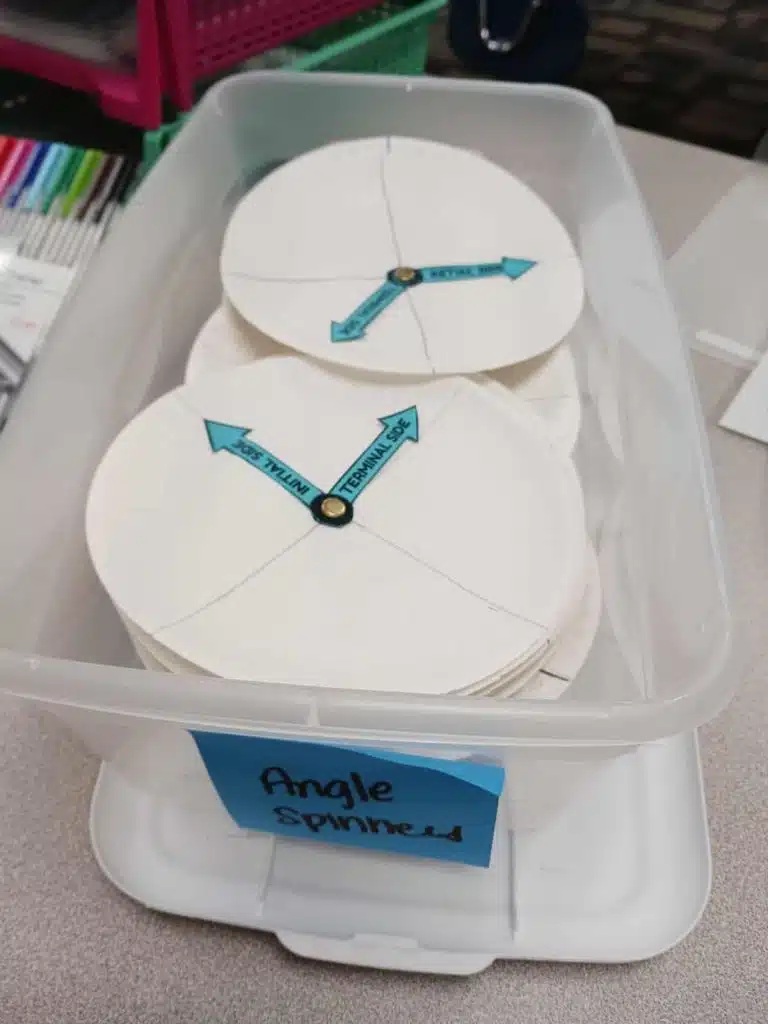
x,y
136,96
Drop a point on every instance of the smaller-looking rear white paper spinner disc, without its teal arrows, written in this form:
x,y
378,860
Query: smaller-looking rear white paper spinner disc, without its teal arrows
x,y
318,238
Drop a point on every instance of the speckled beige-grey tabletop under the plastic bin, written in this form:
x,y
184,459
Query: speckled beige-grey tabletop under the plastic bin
x,y
73,951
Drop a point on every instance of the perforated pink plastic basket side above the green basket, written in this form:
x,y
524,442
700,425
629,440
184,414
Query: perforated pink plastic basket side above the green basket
x,y
205,37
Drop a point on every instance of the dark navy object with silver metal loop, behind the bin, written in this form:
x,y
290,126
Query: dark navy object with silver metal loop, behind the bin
x,y
520,40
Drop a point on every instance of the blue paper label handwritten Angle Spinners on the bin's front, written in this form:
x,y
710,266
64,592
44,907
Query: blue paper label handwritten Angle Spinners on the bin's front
x,y
376,800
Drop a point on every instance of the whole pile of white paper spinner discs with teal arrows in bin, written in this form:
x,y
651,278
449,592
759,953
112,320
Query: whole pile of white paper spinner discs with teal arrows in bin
x,y
366,480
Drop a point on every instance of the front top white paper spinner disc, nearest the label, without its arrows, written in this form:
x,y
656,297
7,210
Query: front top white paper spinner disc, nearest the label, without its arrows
x,y
464,557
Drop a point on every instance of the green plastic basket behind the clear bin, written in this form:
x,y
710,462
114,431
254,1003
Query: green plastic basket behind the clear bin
x,y
390,39
